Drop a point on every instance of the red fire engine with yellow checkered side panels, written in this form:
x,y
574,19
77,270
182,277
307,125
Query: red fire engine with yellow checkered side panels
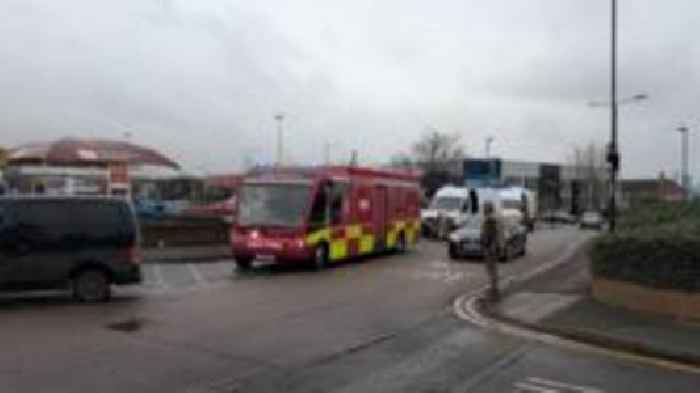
x,y
324,214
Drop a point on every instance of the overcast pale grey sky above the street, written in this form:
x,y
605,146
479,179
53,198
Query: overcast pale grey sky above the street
x,y
201,80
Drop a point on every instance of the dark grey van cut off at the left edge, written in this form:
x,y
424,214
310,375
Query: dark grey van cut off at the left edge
x,y
82,243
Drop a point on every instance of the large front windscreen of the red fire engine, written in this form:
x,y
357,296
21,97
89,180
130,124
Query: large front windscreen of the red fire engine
x,y
273,204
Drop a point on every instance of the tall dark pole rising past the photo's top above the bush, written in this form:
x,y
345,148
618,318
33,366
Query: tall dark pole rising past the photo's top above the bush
x,y
613,153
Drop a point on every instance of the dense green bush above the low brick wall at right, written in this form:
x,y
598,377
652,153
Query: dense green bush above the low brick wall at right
x,y
664,258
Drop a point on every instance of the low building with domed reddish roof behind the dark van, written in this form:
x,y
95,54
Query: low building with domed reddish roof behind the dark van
x,y
81,166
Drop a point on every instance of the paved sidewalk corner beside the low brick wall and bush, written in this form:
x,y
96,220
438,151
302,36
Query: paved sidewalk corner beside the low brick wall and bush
x,y
559,302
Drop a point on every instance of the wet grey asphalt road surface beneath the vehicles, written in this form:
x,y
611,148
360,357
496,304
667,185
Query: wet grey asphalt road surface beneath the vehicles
x,y
383,324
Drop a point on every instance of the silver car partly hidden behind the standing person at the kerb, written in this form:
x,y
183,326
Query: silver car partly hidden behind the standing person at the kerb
x,y
466,241
